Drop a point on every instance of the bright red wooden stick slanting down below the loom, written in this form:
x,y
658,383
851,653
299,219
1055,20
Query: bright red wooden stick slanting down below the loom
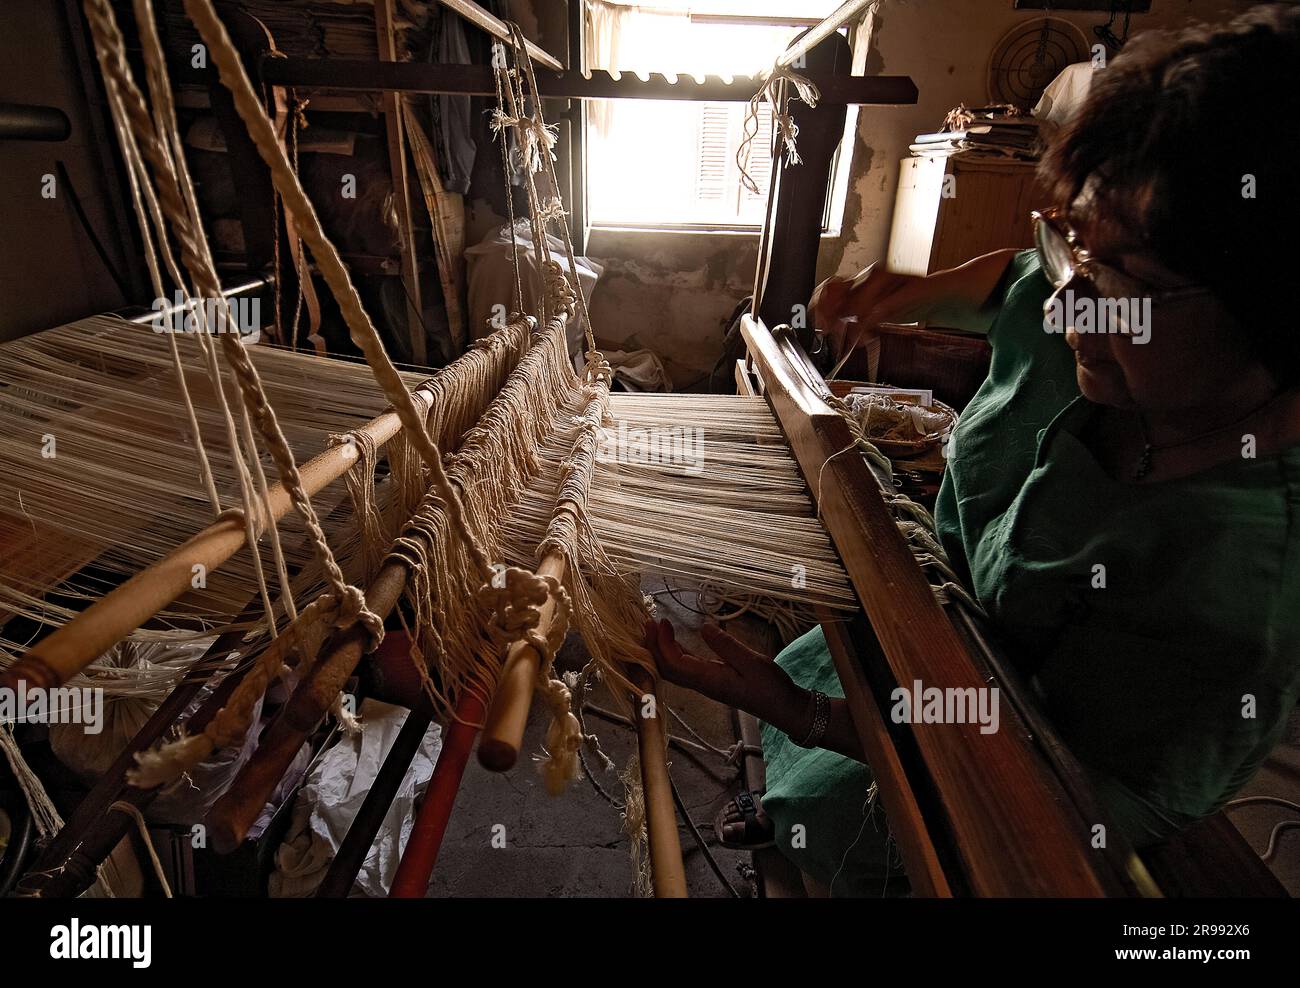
x,y
431,825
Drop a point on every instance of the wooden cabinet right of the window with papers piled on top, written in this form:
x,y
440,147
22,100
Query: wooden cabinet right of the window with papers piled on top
x,y
950,210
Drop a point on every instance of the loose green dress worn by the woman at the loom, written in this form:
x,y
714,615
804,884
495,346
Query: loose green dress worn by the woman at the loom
x,y
1160,623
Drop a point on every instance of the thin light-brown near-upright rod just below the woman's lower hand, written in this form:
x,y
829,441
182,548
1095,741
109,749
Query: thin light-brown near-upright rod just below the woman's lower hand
x,y
668,870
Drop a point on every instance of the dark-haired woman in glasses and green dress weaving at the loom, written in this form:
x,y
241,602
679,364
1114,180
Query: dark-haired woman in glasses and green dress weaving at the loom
x,y
1124,497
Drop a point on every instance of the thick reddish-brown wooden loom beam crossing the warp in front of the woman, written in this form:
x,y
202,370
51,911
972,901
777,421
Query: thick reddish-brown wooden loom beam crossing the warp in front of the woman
x,y
1012,827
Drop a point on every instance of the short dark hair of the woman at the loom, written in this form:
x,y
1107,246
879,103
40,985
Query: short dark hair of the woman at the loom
x,y
1172,138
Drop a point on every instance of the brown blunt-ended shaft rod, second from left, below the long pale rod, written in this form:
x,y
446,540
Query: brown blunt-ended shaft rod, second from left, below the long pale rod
x,y
235,813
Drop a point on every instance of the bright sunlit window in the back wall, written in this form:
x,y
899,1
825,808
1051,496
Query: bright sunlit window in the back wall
x,y
673,164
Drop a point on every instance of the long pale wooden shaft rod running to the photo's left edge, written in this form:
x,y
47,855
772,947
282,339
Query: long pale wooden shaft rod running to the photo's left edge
x,y
70,649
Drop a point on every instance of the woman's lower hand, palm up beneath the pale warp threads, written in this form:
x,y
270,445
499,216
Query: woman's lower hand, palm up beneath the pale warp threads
x,y
743,679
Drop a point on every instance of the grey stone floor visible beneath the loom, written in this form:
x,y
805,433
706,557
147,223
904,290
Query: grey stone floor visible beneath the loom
x,y
574,844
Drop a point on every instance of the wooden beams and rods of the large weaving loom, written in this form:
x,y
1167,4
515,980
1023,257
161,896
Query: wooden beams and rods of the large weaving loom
x,y
973,814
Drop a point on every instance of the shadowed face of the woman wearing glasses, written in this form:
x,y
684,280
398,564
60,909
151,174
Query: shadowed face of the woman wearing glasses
x,y
1155,354
